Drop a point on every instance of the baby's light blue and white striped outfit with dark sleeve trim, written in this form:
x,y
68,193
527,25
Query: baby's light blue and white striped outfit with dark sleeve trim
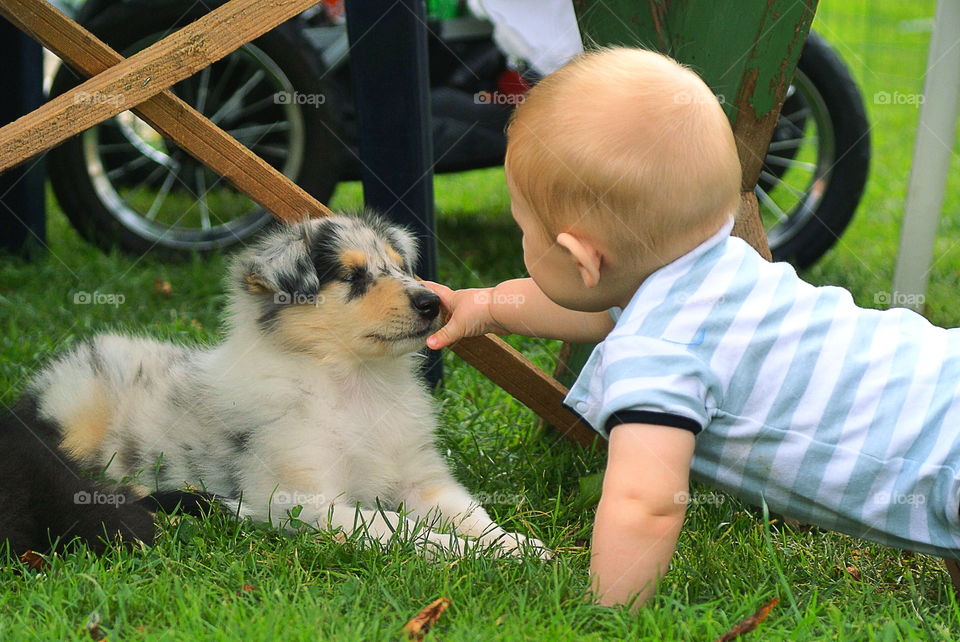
x,y
832,414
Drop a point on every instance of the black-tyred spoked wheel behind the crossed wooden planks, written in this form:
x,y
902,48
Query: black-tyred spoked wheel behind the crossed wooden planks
x,y
123,184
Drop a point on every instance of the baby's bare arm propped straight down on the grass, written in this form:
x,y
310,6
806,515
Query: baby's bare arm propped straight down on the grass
x,y
641,510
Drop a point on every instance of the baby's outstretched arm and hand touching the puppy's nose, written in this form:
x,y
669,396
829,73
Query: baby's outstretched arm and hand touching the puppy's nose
x,y
514,307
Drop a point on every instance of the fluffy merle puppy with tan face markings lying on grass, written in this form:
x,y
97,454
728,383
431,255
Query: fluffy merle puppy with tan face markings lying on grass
x,y
310,410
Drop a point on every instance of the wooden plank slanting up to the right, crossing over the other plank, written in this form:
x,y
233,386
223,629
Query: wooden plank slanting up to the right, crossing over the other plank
x,y
141,76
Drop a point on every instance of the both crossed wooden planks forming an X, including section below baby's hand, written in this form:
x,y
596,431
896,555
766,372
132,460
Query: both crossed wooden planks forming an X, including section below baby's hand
x,y
141,83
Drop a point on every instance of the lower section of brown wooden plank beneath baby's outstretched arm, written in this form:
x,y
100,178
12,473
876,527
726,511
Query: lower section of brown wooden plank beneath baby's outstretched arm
x,y
534,388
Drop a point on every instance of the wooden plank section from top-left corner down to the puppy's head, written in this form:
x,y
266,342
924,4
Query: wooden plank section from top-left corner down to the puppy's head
x,y
167,113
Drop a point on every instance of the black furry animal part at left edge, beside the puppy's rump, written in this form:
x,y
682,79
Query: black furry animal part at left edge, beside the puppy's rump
x,y
46,502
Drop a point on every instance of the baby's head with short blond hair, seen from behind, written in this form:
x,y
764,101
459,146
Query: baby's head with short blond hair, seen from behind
x,y
627,151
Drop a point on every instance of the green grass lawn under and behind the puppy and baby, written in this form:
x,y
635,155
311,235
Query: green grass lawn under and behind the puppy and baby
x,y
216,579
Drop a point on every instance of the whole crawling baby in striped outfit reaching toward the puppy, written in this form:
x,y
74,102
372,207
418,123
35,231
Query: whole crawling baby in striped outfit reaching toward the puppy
x,y
624,180
